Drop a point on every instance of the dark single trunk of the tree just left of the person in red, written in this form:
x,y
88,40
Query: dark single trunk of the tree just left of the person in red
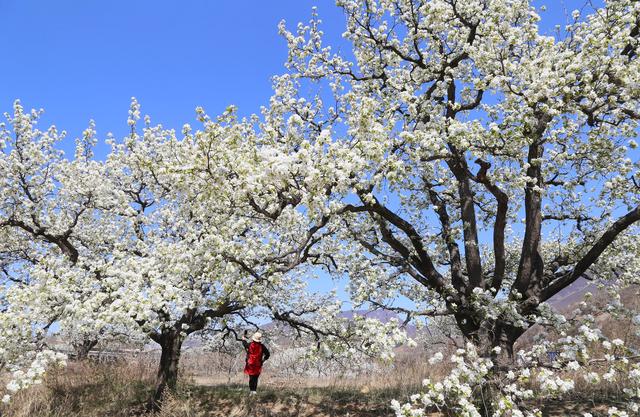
x,y
167,377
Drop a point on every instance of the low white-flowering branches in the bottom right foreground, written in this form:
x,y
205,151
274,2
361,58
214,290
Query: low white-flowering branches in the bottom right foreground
x,y
533,377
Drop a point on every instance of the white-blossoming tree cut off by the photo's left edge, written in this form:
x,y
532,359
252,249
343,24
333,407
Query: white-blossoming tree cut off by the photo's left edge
x,y
46,218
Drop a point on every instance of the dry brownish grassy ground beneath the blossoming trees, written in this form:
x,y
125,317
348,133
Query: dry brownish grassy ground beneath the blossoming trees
x,y
93,390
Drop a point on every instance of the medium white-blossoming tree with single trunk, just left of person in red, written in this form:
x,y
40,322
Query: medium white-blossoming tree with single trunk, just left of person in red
x,y
220,228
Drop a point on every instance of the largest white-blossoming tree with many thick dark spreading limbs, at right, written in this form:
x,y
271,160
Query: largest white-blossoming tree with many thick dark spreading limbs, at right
x,y
480,166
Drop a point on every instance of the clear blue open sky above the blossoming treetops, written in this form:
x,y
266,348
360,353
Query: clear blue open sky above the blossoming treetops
x,y
82,60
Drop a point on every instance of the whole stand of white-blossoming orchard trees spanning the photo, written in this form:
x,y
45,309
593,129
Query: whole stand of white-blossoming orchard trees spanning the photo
x,y
456,164
